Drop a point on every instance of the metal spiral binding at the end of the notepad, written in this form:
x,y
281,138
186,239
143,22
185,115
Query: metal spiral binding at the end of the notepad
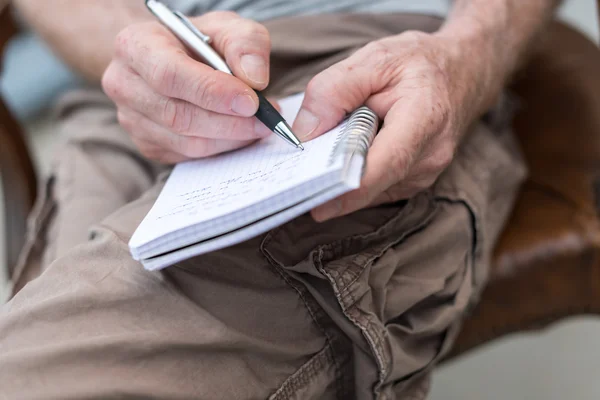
x,y
356,135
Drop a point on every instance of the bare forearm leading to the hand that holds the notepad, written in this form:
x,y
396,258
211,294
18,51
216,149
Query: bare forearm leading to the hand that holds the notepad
x,y
494,37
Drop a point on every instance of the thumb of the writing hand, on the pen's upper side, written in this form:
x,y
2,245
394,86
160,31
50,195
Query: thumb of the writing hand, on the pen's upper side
x,y
244,43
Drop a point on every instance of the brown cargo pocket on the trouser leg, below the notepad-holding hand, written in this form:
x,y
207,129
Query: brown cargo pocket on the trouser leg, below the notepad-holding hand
x,y
407,293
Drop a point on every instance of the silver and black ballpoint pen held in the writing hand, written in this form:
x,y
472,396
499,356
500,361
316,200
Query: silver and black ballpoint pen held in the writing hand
x,y
199,43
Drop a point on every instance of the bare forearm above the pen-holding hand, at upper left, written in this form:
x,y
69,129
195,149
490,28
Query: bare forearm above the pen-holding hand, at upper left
x,y
82,32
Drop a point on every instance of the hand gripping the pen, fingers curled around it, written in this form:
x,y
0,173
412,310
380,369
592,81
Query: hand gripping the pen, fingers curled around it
x,y
176,108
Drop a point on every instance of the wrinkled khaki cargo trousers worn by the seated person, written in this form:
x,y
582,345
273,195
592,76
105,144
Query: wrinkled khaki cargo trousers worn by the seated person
x,y
361,307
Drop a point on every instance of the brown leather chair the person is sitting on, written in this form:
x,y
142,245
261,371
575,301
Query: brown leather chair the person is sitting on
x,y
547,263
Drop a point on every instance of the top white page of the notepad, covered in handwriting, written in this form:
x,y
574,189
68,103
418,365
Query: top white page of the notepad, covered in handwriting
x,y
212,188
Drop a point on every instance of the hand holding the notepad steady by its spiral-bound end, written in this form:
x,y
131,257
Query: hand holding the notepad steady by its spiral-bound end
x,y
420,86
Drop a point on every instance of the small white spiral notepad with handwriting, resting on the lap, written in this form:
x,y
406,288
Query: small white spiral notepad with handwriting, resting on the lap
x,y
216,202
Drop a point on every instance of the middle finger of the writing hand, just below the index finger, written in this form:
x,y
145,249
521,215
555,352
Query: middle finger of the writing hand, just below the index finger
x,y
178,116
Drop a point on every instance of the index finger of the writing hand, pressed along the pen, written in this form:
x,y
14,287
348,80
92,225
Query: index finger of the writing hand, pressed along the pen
x,y
161,60
